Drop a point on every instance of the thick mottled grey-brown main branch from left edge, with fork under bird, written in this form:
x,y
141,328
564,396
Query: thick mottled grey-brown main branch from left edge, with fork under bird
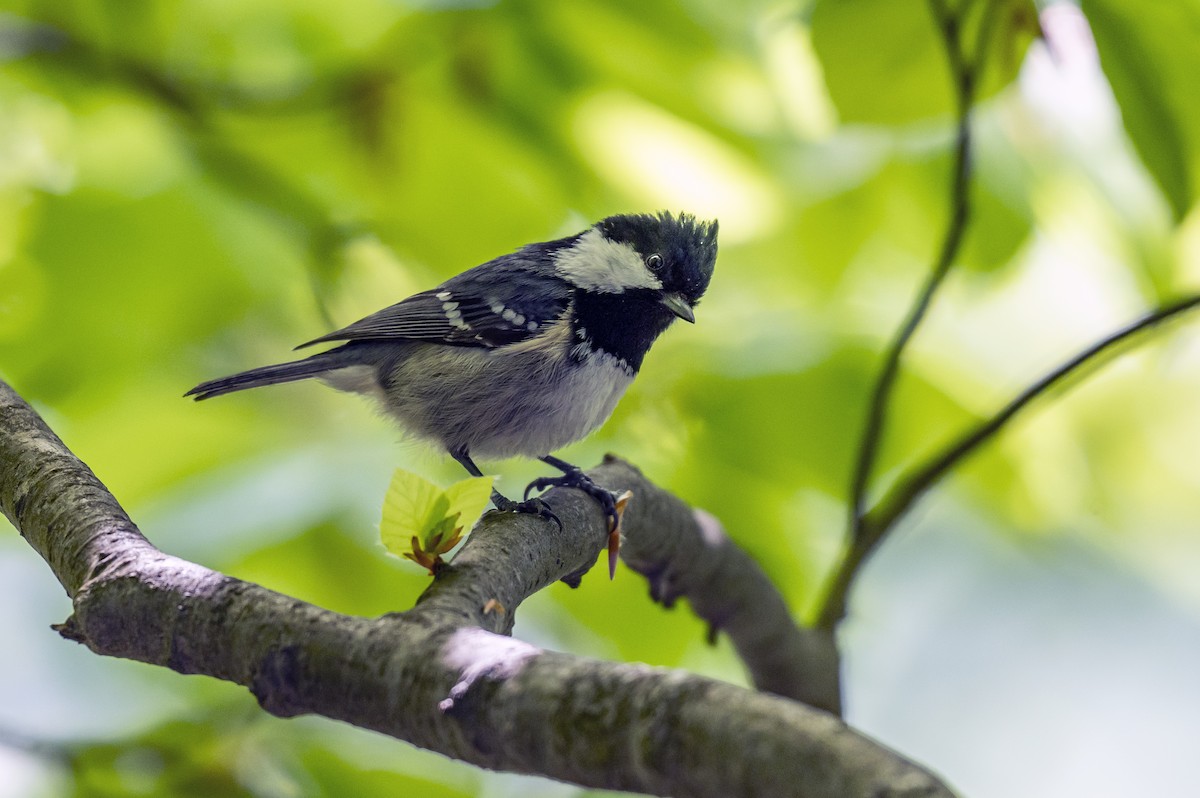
x,y
437,676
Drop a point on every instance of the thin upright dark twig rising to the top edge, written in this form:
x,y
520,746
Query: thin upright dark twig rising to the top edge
x,y
965,80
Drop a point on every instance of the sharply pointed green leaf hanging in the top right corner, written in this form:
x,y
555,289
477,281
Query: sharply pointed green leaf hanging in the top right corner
x,y
1149,53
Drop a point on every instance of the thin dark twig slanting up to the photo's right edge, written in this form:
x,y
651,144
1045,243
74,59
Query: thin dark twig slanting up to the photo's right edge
x,y
890,511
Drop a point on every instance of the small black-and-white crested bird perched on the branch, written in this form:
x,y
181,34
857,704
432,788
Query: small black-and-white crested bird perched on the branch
x,y
524,355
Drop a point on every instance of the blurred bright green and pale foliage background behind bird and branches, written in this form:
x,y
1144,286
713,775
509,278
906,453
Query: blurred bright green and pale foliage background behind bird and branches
x,y
191,189
